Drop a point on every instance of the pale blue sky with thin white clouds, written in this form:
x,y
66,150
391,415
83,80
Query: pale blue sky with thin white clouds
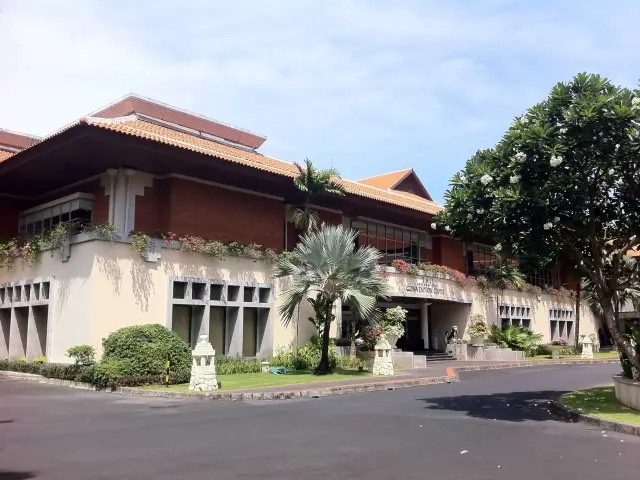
x,y
367,87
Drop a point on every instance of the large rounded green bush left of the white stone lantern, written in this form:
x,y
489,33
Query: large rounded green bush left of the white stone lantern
x,y
144,349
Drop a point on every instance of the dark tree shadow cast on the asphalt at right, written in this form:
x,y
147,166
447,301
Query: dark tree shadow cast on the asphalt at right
x,y
510,407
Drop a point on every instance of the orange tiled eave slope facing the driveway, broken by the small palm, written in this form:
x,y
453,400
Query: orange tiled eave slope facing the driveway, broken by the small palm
x,y
133,126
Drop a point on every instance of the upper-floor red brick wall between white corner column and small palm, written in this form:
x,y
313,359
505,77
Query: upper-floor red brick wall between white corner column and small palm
x,y
186,207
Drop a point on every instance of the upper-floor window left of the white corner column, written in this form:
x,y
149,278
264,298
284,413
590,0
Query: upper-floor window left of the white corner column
x,y
76,208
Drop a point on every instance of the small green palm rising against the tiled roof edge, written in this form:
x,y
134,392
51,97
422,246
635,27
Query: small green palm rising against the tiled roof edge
x,y
313,182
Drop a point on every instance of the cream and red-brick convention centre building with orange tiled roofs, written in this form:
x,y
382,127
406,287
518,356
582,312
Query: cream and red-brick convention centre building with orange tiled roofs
x,y
148,167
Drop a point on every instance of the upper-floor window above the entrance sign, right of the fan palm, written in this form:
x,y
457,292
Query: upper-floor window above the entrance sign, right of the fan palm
x,y
393,242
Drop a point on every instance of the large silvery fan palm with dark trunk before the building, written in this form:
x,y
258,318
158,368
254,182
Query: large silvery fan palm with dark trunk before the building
x,y
327,263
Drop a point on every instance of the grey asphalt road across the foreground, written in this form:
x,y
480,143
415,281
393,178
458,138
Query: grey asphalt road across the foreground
x,y
499,420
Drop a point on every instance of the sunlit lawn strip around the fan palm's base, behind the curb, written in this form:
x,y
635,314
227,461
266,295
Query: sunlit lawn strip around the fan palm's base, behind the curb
x,y
245,381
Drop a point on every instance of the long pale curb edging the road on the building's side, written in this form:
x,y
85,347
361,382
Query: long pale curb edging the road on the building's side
x,y
451,377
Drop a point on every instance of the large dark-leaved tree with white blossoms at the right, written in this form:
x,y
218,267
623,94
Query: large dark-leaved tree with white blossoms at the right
x,y
562,184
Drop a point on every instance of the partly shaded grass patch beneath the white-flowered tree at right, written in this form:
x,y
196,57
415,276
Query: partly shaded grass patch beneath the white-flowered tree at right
x,y
601,402
